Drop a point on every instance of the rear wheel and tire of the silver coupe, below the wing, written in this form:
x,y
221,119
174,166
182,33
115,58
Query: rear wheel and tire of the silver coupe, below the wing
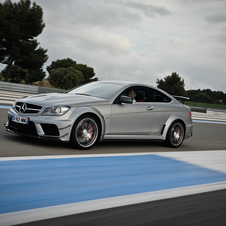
x,y
175,135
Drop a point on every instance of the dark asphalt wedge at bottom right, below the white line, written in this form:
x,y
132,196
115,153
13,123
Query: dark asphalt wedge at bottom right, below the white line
x,y
207,209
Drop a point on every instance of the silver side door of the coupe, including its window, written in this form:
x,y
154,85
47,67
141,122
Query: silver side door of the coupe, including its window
x,y
133,119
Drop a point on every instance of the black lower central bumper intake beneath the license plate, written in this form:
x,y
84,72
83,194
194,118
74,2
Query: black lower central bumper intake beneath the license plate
x,y
26,129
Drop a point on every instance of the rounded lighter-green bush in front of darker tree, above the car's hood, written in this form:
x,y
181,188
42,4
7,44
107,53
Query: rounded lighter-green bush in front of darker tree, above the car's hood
x,y
65,78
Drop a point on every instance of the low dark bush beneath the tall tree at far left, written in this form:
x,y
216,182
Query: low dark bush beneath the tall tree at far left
x,y
17,74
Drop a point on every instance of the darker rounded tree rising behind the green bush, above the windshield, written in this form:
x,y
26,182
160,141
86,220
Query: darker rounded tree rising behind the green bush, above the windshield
x,y
87,72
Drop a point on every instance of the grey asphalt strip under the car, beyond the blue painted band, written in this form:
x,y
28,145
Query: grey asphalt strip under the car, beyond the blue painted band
x,y
205,137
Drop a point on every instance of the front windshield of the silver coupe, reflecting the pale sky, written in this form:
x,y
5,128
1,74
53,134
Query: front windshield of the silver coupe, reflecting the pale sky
x,y
97,89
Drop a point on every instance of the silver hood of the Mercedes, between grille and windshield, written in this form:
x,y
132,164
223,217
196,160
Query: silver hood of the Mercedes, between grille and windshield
x,y
56,99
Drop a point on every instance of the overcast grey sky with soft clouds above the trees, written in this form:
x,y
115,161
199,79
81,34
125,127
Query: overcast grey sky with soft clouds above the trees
x,y
140,40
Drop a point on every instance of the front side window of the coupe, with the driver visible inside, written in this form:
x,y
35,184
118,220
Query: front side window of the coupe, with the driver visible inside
x,y
137,94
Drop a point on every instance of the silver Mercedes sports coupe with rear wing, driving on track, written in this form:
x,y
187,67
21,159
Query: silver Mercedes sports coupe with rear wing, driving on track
x,y
102,110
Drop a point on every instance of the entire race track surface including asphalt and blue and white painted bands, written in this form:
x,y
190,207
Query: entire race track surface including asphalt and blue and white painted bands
x,y
116,182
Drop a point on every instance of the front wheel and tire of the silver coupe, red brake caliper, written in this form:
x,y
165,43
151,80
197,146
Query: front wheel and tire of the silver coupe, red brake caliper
x,y
85,132
